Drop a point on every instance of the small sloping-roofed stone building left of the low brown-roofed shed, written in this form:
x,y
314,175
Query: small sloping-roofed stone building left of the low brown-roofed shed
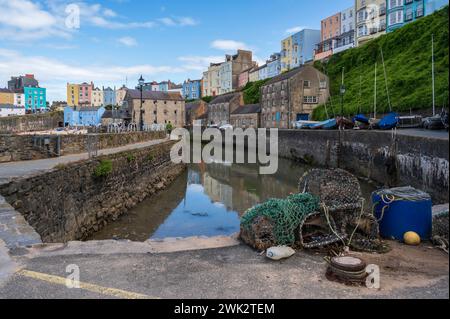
x,y
220,108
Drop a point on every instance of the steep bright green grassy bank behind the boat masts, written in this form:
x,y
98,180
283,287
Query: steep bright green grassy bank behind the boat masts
x,y
407,55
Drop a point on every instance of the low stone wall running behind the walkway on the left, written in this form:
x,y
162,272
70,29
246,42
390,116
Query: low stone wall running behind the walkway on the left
x,y
23,147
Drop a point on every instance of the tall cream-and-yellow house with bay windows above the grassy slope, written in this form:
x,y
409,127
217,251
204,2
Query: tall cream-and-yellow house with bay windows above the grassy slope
x,y
370,20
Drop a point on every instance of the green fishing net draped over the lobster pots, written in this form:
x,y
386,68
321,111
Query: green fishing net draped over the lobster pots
x,y
286,215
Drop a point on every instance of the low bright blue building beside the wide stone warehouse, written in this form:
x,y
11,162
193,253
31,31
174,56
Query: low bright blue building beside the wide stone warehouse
x,y
85,116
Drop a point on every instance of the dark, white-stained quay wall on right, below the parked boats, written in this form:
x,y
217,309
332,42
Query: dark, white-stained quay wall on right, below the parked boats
x,y
388,159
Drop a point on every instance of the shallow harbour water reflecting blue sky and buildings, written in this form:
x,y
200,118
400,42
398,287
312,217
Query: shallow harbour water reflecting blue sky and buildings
x,y
207,200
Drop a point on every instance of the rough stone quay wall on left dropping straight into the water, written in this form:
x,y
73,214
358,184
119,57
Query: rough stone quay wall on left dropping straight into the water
x,y
72,202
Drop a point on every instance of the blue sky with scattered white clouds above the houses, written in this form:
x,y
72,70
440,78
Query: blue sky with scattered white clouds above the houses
x,y
116,41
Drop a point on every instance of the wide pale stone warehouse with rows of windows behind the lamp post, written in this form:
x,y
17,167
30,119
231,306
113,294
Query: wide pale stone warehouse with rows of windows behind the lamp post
x,y
157,108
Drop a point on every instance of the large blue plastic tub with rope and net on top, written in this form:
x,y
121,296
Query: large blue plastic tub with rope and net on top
x,y
401,210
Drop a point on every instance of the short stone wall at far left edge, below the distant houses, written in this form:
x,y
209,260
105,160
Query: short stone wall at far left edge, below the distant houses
x,y
30,123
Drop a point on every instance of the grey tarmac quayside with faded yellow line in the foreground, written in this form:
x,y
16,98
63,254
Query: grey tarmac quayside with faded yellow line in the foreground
x,y
231,272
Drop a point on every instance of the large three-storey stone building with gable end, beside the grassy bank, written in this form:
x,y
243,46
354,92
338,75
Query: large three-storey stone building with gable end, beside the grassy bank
x,y
292,96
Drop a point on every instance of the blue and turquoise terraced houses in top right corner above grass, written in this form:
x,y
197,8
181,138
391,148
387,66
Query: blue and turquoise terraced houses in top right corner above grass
x,y
401,12
